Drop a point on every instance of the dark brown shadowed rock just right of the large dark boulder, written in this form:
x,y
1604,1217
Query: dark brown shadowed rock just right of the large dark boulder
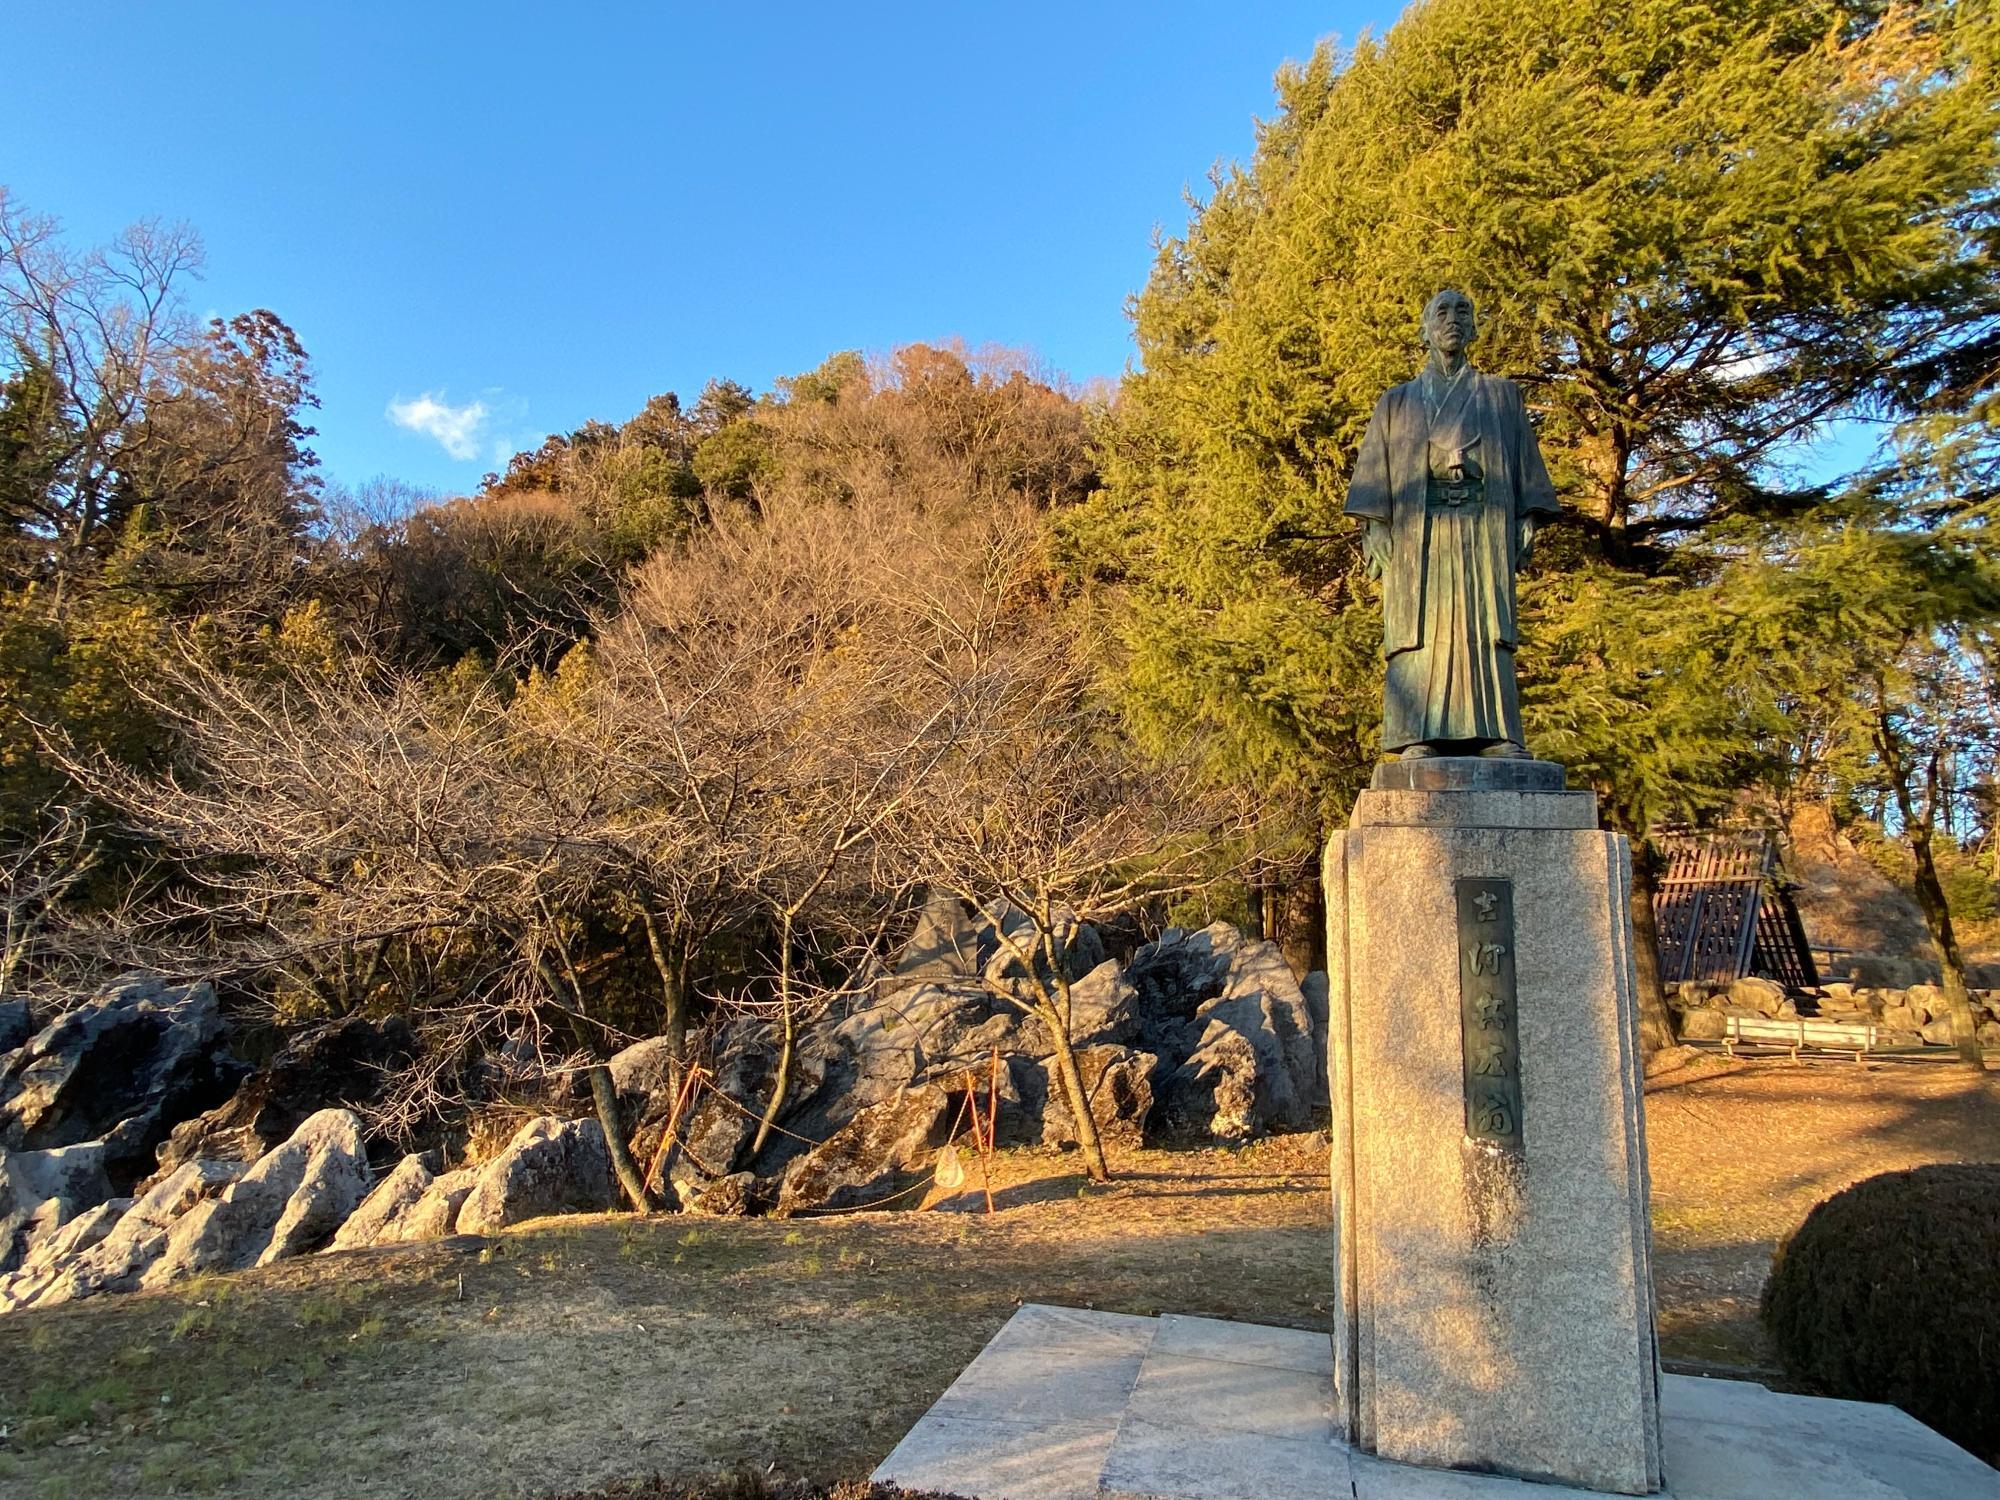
x,y
343,1067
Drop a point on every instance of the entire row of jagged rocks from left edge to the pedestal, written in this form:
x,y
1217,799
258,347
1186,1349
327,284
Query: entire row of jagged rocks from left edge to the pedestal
x,y
135,1151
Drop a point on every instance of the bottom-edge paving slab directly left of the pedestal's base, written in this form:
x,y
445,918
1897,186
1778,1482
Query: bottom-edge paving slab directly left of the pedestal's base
x,y
1151,1461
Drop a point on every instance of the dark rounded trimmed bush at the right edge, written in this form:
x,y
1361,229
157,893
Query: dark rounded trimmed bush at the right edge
x,y
1891,1293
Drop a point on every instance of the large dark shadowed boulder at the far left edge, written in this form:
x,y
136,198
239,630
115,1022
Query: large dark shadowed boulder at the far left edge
x,y
119,1069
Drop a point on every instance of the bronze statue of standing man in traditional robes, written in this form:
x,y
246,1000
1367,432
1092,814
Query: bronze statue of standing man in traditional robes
x,y
1451,485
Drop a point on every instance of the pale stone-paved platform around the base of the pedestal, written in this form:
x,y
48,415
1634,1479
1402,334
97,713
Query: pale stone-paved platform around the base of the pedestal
x,y
1069,1405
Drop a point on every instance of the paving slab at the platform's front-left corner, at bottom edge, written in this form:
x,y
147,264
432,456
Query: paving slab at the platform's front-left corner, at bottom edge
x,y
989,1459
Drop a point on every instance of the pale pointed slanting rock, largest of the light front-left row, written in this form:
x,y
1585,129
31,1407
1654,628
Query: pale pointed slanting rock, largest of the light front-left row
x,y
291,1201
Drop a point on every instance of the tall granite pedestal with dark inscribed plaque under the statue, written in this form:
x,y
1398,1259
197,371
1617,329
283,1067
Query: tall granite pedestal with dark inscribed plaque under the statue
x,y
1495,1307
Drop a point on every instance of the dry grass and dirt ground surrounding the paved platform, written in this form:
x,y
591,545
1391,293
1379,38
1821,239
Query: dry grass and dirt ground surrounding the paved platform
x,y
577,1353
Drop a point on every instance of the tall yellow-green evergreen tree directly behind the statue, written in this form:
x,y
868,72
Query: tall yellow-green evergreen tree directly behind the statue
x,y
1695,237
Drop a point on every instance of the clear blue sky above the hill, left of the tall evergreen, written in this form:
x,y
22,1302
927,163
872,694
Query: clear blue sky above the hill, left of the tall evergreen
x,y
537,215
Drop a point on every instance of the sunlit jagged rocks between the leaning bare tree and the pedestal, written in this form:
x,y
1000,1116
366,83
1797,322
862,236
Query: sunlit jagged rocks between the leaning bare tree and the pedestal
x,y
1203,1037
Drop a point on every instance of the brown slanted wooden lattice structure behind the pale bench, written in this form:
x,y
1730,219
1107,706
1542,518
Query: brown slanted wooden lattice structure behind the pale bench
x,y
1725,911
